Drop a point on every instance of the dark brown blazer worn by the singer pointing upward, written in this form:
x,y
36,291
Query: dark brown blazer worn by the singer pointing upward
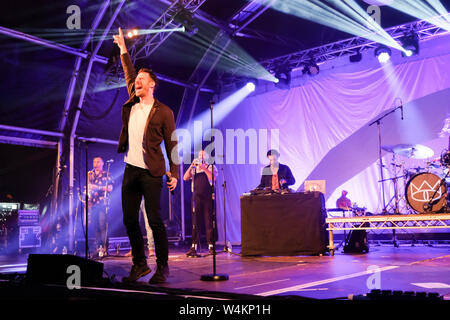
x,y
160,126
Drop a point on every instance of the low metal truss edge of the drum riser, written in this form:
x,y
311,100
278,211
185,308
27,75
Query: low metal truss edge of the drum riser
x,y
387,222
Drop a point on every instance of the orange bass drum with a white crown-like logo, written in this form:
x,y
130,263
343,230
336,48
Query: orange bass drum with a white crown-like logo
x,y
424,187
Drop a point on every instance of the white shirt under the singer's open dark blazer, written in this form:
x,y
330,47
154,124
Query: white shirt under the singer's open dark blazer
x,y
136,127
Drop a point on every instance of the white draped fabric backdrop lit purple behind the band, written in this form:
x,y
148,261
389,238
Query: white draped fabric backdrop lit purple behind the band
x,y
317,114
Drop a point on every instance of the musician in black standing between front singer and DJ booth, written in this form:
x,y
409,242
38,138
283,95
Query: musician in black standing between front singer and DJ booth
x,y
201,173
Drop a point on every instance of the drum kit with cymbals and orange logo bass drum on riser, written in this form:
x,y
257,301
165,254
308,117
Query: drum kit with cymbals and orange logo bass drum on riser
x,y
425,188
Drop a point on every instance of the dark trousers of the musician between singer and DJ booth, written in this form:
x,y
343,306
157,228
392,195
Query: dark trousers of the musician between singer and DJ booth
x,y
202,209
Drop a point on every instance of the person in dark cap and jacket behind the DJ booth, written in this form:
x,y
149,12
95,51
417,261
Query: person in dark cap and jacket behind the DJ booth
x,y
276,176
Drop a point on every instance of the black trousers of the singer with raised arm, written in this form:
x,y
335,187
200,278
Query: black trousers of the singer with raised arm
x,y
138,182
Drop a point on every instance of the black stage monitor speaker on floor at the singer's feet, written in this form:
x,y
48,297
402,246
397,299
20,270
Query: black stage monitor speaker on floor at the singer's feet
x,y
54,269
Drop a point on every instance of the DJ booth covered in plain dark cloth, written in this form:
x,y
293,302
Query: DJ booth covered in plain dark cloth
x,y
283,224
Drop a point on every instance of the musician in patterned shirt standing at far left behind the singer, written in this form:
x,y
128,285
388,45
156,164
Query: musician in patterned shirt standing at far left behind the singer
x,y
100,185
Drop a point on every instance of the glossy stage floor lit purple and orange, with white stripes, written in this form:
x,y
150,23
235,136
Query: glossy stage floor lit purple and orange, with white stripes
x,y
419,268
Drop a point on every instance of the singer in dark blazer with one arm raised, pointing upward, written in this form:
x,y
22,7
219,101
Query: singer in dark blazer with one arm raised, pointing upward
x,y
146,123
